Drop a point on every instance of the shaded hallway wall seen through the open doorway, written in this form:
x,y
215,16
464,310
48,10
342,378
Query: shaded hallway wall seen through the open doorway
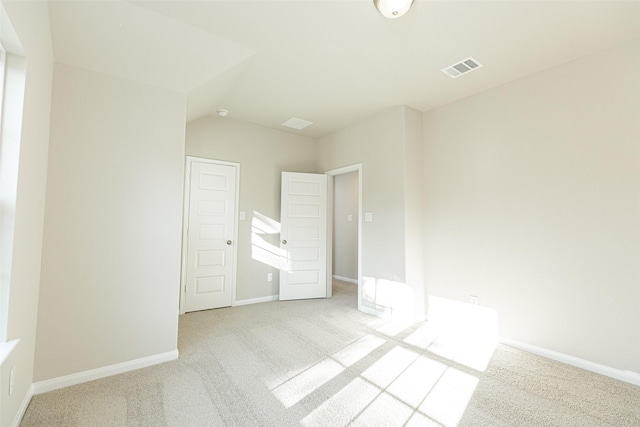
x,y
345,232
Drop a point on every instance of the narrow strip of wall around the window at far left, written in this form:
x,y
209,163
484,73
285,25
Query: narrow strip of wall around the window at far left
x,y
31,22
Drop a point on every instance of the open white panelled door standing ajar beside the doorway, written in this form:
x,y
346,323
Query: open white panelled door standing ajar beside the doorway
x,y
303,236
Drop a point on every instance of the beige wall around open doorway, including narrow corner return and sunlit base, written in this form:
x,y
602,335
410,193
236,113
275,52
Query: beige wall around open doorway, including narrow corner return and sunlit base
x,y
381,144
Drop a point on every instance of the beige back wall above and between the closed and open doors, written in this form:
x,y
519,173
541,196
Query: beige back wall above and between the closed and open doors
x,y
263,155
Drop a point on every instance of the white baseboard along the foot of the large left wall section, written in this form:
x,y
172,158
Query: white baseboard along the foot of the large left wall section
x,y
106,371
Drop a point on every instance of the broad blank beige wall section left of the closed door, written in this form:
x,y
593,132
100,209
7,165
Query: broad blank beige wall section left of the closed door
x,y
111,258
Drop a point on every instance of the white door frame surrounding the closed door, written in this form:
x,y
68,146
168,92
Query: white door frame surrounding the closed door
x,y
185,226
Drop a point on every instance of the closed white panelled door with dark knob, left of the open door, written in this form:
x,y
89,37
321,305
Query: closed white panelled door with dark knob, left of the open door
x,y
211,231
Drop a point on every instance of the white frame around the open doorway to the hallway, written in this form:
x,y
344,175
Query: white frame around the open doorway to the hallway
x,y
330,209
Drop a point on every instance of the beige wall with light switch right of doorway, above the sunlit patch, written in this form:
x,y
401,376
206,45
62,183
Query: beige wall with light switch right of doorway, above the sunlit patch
x,y
377,144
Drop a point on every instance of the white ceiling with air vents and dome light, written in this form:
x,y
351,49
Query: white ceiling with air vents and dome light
x,y
331,62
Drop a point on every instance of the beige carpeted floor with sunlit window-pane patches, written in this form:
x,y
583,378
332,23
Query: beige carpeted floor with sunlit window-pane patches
x,y
323,363
